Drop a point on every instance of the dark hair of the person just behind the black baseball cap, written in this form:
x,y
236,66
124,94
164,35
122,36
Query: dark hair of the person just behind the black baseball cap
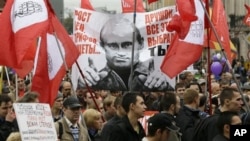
x,y
167,100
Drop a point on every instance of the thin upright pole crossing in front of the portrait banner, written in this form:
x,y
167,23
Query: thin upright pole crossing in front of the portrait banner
x,y
133,46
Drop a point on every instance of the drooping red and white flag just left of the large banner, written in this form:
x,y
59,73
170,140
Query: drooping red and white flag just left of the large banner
x,y
50,67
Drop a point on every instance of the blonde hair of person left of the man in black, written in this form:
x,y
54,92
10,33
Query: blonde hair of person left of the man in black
x,y
90,115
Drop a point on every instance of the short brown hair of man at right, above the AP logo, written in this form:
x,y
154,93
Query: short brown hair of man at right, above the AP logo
x,y
227,93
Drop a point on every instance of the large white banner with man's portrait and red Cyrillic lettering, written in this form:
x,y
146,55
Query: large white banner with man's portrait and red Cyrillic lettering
x,y
107,41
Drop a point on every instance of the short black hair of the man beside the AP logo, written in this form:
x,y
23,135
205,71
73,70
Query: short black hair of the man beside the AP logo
x,y
225,118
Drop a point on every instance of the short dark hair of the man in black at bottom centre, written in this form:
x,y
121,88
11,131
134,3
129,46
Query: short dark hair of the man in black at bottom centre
x,y
129,98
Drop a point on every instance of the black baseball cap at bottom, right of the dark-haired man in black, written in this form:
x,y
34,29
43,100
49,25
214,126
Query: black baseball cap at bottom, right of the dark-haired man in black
x,y
161,121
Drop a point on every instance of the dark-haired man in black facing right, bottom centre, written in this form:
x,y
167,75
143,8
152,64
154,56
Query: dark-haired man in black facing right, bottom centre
x,y
130,129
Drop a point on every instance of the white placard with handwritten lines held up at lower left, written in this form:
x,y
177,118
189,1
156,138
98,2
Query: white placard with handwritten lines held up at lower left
x,y
35,122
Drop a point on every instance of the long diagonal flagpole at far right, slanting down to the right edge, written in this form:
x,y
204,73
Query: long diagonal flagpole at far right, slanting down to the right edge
x,y
224,55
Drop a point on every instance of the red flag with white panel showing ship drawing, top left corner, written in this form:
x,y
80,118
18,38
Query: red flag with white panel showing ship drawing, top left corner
x,y
18,32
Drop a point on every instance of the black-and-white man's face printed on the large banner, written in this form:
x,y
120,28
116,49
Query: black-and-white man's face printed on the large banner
x,y
118,42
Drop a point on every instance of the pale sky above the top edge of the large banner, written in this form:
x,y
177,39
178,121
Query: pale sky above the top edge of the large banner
x,y
110,4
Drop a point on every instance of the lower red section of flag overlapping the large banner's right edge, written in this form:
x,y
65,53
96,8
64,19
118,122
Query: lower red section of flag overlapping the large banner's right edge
x,y
179,56
